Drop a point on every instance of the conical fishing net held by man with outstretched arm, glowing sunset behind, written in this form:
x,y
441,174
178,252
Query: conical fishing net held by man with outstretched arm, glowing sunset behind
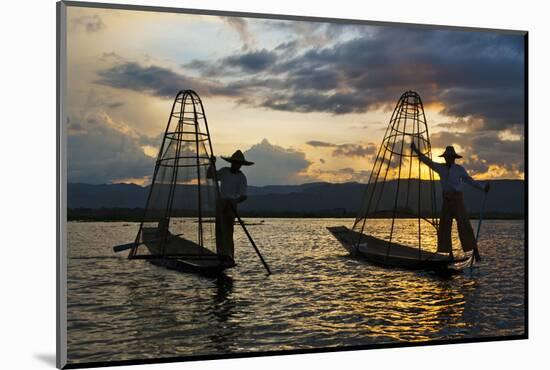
x,y
399,204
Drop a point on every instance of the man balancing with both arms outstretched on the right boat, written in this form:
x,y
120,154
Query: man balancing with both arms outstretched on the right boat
x,y
452,176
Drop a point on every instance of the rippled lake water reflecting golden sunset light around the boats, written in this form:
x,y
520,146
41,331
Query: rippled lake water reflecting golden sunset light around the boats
x,y
317,296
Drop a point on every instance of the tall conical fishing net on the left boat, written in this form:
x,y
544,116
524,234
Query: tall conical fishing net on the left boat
x,y
179,219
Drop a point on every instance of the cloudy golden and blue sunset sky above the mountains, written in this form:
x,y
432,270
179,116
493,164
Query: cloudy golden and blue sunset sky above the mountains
x,y
306,101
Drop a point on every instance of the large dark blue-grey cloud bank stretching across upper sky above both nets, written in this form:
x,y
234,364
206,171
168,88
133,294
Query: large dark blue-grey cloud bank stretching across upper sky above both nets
x,y
472,74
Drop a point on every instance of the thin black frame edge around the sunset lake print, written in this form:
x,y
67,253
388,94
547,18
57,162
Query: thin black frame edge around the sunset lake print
x,y
61,256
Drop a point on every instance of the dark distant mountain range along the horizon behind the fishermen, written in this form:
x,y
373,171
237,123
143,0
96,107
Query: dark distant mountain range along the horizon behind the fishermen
x,y
506,199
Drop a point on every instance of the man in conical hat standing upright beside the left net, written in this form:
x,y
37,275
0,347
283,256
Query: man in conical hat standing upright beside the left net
x,y
232,192
